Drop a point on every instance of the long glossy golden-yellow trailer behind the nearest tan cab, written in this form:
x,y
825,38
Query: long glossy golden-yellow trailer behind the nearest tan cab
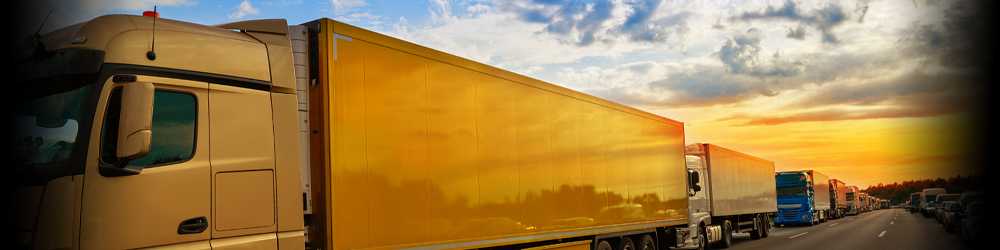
x,y
413,147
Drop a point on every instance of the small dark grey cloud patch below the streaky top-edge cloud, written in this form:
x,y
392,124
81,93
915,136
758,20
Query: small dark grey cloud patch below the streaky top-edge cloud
x,y
741,55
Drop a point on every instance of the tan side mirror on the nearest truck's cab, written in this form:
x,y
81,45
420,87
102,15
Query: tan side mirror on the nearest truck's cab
x,y
135,126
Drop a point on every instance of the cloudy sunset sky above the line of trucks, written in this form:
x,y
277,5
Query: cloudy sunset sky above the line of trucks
x,y
866,91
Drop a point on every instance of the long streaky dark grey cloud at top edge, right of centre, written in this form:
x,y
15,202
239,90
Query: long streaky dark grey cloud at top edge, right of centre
x,y
823,19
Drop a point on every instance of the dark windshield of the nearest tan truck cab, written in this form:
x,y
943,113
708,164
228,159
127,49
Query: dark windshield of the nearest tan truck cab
x,y
47,127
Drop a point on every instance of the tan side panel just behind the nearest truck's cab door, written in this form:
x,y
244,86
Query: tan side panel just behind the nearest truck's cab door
x,y
243,175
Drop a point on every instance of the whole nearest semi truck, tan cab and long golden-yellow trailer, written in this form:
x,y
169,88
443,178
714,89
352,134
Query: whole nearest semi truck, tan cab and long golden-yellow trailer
x,y
142,132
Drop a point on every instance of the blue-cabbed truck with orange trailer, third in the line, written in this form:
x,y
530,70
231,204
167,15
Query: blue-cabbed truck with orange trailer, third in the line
x,y
803,197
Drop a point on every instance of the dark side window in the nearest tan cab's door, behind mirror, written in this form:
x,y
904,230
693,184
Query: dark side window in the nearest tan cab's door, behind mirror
x,y
174,122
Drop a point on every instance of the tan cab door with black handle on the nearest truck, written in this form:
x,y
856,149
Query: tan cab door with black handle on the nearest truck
x,y
167,202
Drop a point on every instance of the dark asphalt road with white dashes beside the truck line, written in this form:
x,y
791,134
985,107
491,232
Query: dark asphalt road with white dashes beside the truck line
x,y
877,230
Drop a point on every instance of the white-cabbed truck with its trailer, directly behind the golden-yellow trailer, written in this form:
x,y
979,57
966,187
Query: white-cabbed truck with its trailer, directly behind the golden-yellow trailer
x,y
728,192
